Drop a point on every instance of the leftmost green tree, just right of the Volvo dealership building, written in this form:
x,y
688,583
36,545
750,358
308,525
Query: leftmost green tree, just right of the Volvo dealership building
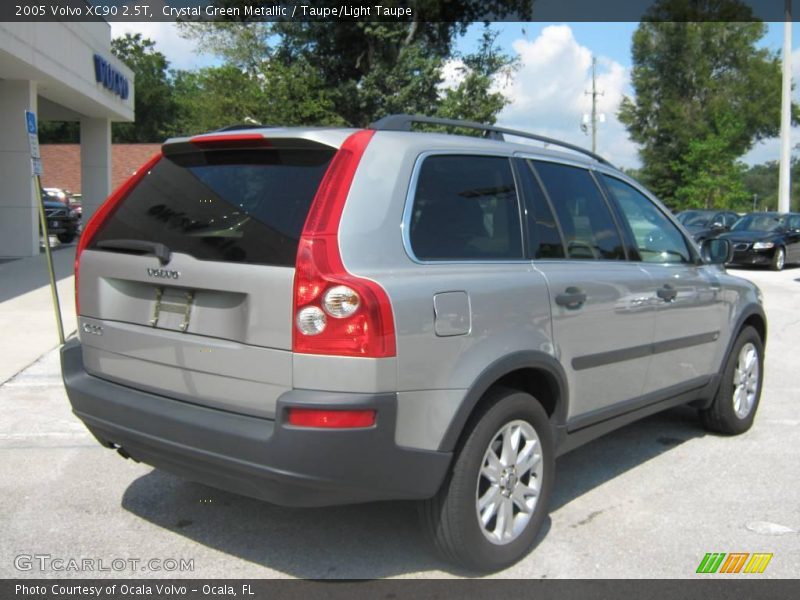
x,y
154,100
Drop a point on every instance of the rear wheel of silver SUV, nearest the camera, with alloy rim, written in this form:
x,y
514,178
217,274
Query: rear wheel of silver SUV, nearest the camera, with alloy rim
x,y
490,508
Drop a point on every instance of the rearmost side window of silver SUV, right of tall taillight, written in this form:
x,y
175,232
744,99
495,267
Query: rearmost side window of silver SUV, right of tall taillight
x,y
466,208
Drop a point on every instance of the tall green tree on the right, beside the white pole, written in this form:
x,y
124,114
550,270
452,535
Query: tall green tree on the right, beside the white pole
x,y
699,85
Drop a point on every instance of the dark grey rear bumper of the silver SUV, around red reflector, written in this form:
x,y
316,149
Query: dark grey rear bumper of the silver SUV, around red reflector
x,y
262,458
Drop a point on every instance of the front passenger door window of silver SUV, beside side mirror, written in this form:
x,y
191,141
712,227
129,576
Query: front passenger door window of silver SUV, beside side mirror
x,y
657,239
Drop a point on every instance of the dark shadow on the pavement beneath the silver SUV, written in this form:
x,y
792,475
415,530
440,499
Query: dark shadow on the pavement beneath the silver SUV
x,y
373,540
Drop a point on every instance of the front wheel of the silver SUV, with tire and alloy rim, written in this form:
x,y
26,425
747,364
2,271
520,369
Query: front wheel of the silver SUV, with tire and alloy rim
x,y
734,407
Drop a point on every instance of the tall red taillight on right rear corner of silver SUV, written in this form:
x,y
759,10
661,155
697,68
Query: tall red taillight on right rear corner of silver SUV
x,y
369,330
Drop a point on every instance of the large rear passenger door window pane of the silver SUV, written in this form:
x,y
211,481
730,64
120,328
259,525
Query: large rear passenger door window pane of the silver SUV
x,y
586,222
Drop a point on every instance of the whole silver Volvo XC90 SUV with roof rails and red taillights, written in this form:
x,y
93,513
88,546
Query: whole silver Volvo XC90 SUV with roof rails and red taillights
x,y
323,316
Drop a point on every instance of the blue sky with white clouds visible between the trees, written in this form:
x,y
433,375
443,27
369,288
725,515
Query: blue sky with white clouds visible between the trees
x,y
547,93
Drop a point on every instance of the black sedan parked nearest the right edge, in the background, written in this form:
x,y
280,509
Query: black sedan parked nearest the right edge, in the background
x,y
768,239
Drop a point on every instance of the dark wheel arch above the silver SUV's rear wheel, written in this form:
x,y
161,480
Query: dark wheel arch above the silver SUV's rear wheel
x,y
533,372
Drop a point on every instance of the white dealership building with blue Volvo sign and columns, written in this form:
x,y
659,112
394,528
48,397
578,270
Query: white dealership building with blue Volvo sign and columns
x,y
62,72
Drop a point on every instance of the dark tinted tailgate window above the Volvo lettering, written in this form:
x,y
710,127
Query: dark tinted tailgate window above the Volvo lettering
x,y
245,206
